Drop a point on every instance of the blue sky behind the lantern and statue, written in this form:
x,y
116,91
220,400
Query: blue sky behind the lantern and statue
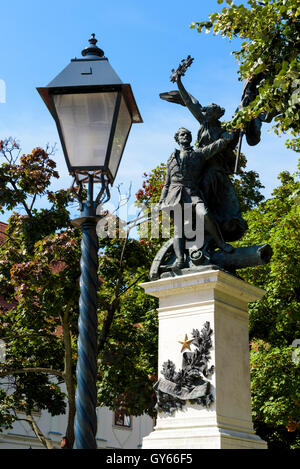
x,y
143,42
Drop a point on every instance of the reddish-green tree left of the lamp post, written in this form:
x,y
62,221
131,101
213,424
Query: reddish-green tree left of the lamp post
x,y
39,273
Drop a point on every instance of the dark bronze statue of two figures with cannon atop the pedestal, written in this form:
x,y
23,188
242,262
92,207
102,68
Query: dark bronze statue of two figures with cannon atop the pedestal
x,y
200,177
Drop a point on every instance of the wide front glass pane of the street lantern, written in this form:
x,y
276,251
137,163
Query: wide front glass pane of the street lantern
x,y
85,121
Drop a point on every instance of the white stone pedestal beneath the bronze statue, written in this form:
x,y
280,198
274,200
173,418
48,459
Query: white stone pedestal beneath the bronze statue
x,y
187,302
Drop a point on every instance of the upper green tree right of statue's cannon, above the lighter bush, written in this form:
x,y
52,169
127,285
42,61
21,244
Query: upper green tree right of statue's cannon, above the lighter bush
x,y
276,222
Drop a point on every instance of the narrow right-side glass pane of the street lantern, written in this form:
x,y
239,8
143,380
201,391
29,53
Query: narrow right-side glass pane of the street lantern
x,y
120,137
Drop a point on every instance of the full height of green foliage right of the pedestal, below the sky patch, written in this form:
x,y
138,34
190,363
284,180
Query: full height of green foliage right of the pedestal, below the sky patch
x,y
275,319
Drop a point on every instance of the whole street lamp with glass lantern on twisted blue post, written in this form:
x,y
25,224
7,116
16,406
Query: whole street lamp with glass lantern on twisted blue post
x,y
93,111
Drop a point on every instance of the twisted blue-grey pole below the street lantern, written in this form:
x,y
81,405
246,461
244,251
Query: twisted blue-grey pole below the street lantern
x,y
86,392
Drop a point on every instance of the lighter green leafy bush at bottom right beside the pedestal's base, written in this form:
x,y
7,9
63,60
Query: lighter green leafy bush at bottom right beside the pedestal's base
x,y
276,396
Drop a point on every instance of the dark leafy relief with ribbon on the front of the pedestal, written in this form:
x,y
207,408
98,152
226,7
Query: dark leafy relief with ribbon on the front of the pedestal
x,y
188,384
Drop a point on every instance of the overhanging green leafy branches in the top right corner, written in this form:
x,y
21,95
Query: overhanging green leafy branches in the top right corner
x,y
270,47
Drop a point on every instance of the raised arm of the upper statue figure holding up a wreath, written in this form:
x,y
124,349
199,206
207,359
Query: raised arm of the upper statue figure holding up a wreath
x,y
183,97
